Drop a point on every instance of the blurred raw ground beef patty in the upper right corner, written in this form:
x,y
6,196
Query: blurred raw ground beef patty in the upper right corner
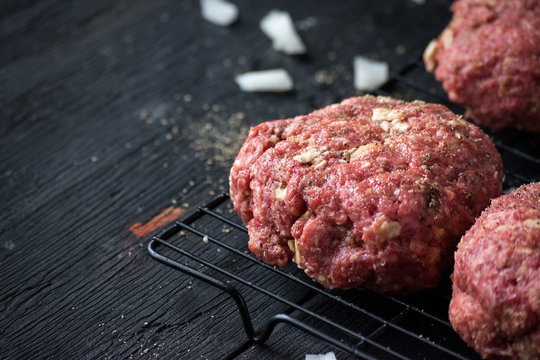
x,y
488,59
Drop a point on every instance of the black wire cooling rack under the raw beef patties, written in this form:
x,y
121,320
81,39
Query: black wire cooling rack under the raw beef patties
x,y
357,322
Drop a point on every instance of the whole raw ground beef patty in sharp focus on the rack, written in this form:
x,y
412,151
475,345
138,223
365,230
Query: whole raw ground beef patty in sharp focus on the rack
x,y
372,191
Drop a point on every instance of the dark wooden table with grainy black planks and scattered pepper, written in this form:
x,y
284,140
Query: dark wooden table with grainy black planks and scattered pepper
x,y
114,111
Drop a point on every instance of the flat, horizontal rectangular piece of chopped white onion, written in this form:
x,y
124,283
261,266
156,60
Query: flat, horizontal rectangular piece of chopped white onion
x,y
274,80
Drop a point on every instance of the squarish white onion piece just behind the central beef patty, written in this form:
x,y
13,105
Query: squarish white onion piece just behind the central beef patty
x,y
369,74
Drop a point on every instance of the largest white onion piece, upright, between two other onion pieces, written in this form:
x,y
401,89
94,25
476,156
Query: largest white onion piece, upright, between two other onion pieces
x,y
279,27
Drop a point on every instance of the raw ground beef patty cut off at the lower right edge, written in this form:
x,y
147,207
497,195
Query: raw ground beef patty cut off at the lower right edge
x,y
495,304
